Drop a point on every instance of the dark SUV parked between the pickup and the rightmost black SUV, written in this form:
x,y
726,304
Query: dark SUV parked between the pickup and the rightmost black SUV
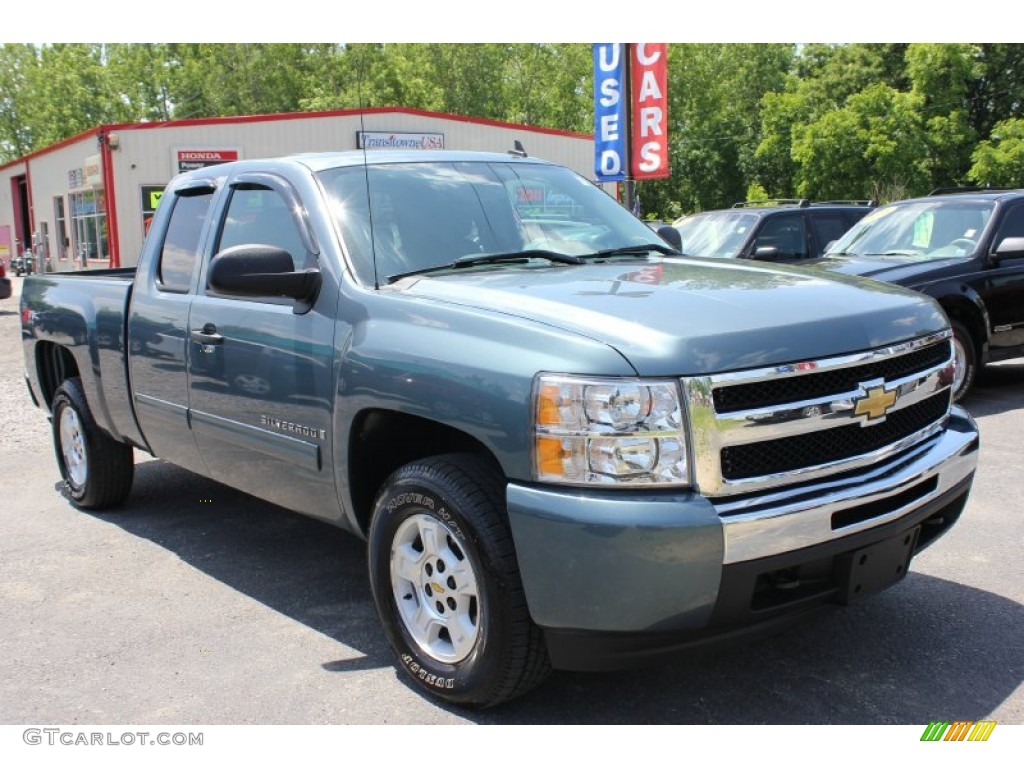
x,y
781,231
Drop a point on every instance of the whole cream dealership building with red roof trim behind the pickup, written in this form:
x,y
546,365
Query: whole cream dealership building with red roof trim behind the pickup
x,y
87,202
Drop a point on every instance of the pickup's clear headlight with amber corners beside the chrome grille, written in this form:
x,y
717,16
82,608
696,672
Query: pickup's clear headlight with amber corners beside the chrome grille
x,y
609,432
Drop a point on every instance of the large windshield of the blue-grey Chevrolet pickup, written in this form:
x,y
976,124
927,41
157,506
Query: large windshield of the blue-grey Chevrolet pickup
x,y
398,219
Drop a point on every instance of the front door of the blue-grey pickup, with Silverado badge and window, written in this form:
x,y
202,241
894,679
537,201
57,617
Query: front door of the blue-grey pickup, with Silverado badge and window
x,y
261,367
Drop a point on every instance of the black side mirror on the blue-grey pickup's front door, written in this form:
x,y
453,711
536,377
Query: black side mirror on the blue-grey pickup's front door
x,y
264,271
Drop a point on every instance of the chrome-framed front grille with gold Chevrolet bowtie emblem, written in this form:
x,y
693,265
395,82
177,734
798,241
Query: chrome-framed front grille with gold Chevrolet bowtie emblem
x,y
774,428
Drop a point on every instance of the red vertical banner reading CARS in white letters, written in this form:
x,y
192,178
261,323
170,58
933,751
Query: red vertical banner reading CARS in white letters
x,y
651,110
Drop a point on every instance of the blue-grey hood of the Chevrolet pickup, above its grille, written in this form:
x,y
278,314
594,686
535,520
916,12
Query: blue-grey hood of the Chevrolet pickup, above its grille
x,y
693,317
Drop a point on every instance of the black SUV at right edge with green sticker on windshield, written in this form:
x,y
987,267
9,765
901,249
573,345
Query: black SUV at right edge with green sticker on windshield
x,y
966,249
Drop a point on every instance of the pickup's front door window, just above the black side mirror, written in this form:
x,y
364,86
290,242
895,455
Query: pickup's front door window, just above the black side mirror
x,y
262,217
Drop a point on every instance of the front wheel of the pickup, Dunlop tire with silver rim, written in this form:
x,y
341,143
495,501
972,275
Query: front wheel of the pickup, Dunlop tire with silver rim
x,y
488,650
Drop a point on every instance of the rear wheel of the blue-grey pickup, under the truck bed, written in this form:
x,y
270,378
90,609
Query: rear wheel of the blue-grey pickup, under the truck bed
x,y
98,471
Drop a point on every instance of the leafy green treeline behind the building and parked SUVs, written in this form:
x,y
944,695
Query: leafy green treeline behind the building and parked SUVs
x,y
850,120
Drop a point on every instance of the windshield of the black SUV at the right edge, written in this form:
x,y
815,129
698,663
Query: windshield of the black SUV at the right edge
x,y
940,229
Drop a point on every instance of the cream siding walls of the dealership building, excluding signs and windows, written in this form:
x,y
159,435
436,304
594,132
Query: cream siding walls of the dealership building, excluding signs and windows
x,y
146,156
